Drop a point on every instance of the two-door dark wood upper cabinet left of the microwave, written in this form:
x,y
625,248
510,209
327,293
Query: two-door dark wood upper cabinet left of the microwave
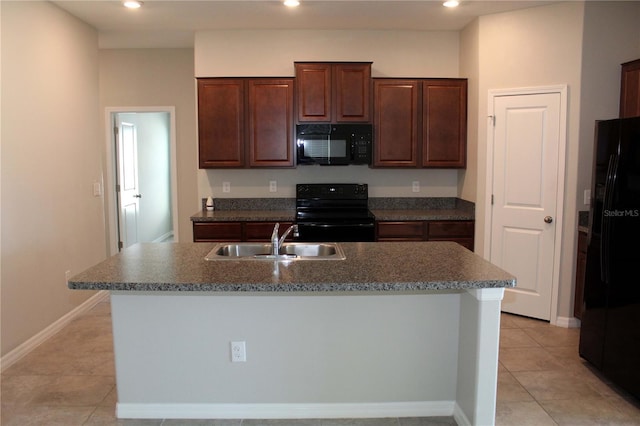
x,y
245,122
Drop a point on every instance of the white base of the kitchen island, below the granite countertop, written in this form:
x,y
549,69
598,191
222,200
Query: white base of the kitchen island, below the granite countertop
x,y
308,355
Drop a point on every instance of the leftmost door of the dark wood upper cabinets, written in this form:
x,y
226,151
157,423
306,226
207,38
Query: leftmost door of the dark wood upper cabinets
x,y
221,123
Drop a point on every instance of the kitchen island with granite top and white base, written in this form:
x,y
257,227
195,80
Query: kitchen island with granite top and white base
x,y
395,329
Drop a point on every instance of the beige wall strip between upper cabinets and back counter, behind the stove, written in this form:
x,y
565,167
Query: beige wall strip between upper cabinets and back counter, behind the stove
x,y
253,183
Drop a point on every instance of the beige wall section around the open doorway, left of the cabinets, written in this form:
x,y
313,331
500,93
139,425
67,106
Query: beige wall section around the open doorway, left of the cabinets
x,y
158,77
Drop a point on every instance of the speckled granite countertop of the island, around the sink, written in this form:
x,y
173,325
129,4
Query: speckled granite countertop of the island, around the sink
x,y
377,267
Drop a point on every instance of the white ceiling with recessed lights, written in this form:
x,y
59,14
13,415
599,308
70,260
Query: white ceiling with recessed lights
x,y
172,23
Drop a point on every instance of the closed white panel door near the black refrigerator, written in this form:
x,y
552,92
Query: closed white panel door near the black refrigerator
x,y
525,211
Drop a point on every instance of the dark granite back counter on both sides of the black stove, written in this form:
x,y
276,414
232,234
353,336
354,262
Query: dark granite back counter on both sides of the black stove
x,y
384,209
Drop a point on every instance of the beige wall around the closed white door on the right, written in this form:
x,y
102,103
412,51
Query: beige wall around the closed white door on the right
x,y
543,47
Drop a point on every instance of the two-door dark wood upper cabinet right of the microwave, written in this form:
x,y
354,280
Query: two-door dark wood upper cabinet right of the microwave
x,y
420,123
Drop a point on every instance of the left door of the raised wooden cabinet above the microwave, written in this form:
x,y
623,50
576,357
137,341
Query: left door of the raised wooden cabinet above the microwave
x,y
313,85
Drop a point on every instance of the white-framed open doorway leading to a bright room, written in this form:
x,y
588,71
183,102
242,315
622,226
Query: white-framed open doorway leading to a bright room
x,y
141,186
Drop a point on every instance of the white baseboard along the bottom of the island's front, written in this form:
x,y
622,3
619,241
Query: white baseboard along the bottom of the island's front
x,y
285,411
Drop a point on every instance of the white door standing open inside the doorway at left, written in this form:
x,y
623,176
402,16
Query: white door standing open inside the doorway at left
x,y
127,186
